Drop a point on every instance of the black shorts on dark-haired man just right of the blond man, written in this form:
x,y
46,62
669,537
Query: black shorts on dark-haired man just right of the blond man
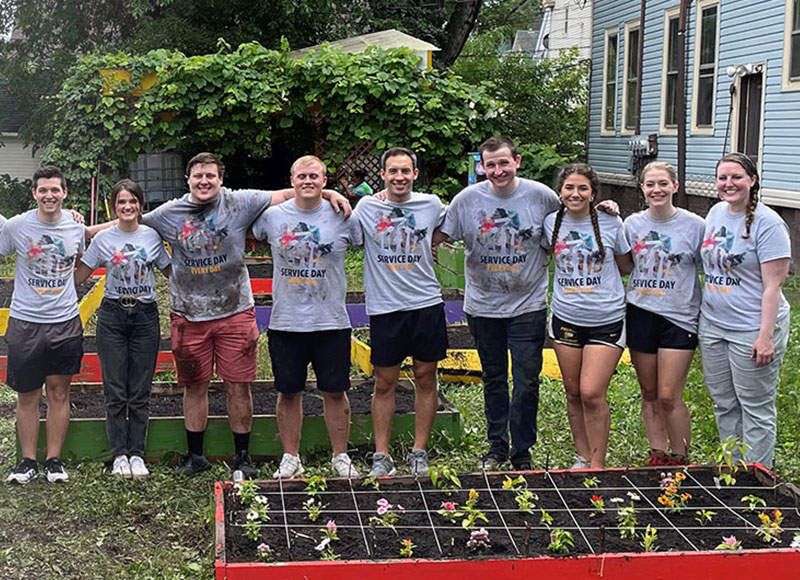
x,y
421,334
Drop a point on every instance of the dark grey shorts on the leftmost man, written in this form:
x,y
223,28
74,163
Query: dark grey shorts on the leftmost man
x,y
38,350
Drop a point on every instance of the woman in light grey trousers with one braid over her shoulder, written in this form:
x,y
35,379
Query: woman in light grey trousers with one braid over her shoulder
x,y
744,317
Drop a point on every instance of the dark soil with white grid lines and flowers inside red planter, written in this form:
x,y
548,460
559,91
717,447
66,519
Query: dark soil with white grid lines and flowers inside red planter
x,y
566,497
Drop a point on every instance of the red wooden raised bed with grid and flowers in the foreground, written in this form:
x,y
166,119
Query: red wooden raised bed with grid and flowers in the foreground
x,y
519,541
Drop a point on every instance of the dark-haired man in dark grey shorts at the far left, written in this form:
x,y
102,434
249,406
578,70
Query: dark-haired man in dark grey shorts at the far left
x,y
45,333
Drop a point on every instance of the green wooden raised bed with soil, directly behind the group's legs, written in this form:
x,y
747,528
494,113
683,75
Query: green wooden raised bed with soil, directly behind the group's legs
x,y
86,437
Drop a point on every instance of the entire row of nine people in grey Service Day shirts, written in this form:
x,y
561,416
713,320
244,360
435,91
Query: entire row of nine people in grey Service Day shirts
x,y
508,225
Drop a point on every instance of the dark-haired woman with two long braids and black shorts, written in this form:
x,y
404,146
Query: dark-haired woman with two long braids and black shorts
x,y
587,322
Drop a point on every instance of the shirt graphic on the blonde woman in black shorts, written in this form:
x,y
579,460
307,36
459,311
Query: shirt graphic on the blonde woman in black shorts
x,y
656,263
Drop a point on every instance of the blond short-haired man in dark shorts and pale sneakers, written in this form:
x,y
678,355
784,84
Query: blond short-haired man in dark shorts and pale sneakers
x,y
309,321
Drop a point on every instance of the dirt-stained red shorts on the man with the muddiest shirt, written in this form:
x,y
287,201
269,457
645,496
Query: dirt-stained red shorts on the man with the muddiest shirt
x,y
230,343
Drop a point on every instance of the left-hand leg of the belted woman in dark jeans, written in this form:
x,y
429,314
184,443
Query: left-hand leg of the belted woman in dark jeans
x,y
112,349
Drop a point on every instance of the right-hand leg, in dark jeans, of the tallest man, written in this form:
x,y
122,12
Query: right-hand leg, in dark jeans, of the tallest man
x,y
525,340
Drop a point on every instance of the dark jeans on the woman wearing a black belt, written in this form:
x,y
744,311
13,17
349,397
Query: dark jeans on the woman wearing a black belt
x,y
127,344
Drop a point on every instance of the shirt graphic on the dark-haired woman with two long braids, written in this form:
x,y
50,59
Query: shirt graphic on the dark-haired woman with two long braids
x,y
577,259
